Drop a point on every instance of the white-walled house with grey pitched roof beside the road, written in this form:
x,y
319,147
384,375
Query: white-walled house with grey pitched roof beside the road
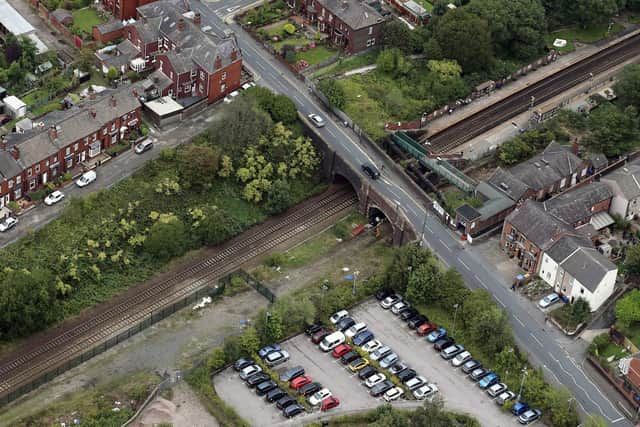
x,y
576,270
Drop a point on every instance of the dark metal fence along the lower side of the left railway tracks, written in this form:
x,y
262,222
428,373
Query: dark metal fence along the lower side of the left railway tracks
x,y
153,317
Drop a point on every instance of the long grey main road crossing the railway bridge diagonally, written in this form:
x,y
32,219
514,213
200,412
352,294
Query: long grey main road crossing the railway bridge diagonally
x,y
545,345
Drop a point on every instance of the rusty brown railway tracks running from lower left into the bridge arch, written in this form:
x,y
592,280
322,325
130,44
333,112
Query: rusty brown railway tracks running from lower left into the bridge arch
x,y
45,354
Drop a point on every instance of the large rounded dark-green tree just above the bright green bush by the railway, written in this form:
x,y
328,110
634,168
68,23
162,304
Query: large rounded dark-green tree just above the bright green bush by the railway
x,y
464,37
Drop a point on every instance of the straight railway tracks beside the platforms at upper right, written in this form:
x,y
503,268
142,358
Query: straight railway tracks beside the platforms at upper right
x,y
543,90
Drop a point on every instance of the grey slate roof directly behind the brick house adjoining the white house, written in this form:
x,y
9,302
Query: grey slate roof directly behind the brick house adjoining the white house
x,y
575,205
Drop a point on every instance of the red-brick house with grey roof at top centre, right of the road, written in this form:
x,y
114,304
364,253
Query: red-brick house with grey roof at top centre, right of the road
x,y
352,25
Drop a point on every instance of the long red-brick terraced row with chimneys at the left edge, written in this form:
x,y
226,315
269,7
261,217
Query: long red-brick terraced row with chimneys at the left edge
x,y
62,140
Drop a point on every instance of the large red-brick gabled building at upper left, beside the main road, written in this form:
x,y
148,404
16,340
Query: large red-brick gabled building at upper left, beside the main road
x,y
188,63
